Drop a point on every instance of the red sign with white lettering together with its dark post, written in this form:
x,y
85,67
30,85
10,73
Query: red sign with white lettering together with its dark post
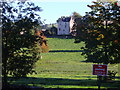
x,y
99,70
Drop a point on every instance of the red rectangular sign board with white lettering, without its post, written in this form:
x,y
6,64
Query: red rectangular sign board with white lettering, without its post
x,y
100,70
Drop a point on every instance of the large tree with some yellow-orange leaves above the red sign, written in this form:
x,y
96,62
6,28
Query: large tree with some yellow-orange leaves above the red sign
x,y
102,34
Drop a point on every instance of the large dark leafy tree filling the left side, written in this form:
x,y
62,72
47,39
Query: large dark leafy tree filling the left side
x,y
18,42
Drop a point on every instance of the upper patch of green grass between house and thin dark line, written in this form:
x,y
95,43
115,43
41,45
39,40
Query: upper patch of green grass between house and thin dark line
x,y
63,44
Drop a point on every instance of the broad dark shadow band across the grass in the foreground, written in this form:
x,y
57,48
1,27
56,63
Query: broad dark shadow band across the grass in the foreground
x,y
60,81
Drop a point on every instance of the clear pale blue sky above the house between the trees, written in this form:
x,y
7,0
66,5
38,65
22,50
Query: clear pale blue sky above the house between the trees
x,y
52,10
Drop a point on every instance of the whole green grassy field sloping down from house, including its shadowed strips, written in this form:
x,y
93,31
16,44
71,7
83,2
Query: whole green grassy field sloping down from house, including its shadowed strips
x,y
64,67
